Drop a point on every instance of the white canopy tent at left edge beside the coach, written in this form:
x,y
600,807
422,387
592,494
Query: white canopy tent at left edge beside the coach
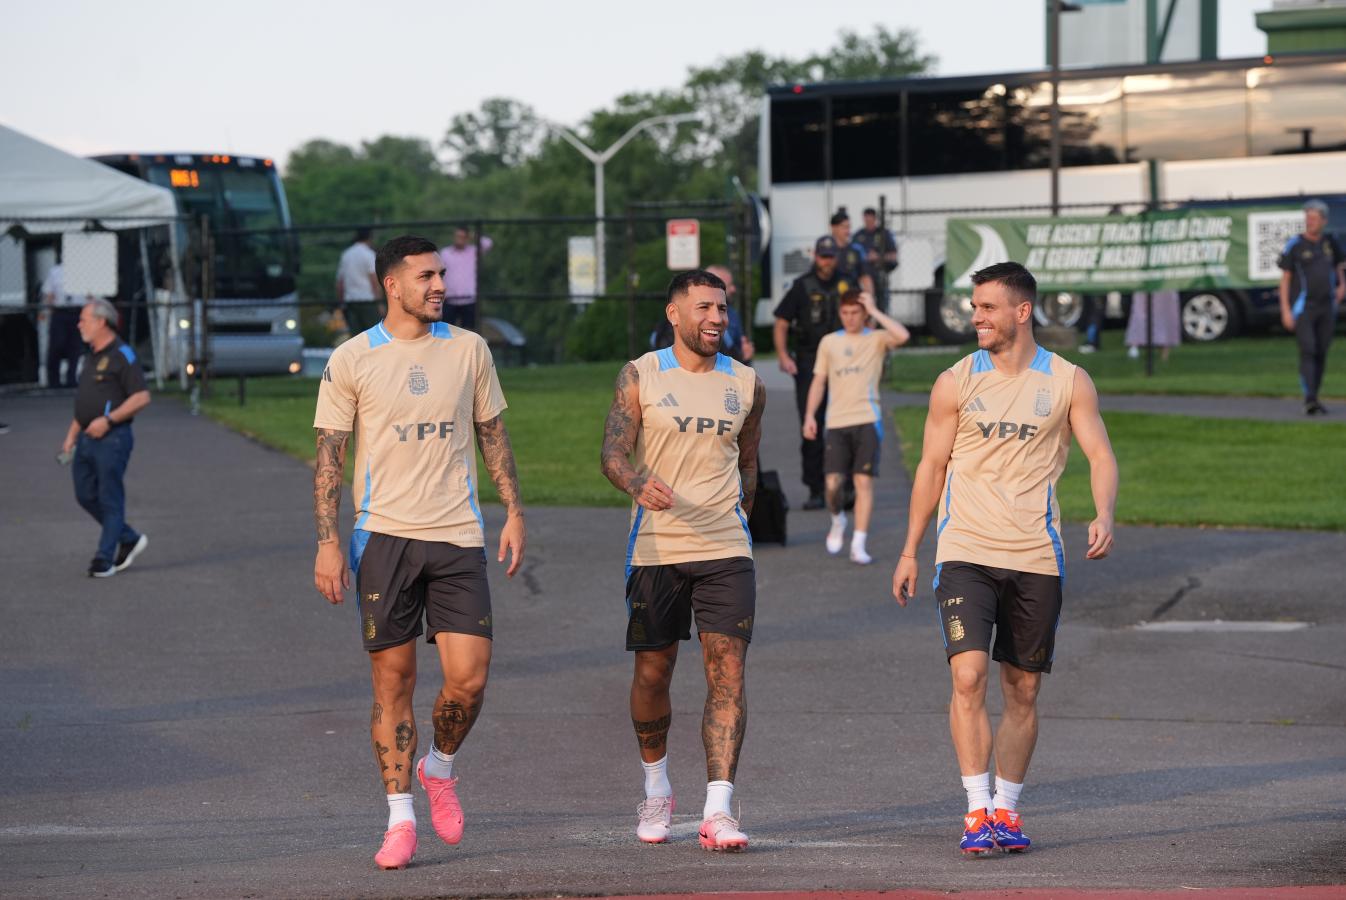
x,y
45,190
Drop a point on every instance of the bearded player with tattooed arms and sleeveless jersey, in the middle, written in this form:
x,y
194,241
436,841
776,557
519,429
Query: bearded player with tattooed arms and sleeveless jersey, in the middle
x,y
682,441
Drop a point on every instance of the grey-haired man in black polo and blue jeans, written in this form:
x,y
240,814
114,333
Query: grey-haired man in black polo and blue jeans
x,y
112,391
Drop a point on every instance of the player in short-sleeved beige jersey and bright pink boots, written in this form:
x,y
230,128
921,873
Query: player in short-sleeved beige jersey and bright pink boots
x,y
415,391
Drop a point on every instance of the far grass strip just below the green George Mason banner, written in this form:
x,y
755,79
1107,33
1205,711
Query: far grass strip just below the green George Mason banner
x,y
1266,367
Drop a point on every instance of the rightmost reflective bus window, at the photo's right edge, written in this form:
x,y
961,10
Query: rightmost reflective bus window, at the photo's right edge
x,y
1297,110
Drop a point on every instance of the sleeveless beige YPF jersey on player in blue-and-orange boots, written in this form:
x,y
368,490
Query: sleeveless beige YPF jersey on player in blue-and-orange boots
x,y
999,504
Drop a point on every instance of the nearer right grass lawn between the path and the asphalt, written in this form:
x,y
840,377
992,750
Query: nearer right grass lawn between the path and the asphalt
x,y
1178,470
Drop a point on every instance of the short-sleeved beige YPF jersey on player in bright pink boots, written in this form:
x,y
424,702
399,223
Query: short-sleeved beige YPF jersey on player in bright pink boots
x,y
413,406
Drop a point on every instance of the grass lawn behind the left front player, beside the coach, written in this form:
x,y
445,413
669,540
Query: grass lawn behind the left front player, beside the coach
x,y
557,450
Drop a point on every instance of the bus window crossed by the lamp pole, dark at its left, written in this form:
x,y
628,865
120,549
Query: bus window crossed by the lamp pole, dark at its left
x,y
1091,124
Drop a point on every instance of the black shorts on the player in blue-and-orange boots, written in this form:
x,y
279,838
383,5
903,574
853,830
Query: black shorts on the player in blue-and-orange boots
x,y
1022,609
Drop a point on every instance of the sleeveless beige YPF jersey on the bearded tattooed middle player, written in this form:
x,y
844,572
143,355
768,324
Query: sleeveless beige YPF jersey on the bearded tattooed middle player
x,y
690,441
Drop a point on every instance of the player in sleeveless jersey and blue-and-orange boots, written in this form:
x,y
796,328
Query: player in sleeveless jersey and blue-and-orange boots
x,y
995,443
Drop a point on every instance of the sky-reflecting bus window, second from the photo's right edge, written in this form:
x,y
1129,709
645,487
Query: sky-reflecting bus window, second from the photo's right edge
x,y
1186,116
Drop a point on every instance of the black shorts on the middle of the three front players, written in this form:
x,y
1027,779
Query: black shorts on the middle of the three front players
x,y
662,599
